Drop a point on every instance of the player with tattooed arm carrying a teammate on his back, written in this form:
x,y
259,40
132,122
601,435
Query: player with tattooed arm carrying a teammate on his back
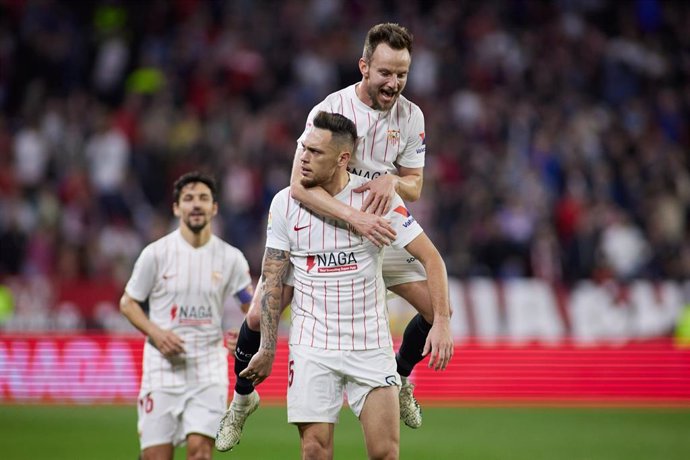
x,y
340,340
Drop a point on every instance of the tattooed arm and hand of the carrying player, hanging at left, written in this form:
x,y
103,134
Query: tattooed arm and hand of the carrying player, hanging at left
x,y
275,265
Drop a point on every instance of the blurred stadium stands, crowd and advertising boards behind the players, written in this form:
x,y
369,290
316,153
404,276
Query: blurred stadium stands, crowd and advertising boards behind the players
x,y
557,184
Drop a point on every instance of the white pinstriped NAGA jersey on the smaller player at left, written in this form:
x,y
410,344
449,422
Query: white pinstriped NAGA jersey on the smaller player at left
x,y
186,288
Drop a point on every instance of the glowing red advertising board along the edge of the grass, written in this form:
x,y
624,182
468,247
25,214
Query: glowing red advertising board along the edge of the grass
x,y
106,369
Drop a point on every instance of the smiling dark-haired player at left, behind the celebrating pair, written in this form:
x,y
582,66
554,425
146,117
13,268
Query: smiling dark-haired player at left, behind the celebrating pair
x,y
186,277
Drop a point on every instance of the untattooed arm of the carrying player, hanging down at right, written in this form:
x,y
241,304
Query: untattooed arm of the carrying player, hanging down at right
x,y
439,342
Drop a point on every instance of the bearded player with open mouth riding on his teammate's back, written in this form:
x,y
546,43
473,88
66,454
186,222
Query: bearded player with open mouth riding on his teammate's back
x,y
390,153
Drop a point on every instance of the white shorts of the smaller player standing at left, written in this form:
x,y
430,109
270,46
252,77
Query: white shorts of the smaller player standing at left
x,y
168,416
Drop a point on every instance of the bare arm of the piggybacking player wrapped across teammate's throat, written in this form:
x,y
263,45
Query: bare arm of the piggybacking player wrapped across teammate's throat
x,y
373,227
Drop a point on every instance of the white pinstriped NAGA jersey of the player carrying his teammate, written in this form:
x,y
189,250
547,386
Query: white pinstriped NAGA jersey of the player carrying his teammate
x,y
339,300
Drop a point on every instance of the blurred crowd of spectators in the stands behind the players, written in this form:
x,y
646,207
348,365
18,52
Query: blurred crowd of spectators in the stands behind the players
x,y
558,132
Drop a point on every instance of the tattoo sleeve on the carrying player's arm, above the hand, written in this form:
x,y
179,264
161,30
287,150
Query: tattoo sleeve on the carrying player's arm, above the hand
x,y
275,267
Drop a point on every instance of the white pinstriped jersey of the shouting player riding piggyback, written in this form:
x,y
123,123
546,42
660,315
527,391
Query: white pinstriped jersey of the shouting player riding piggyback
x,y
385,138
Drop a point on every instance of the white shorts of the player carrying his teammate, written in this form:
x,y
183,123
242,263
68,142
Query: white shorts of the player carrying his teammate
x,y
318,379
